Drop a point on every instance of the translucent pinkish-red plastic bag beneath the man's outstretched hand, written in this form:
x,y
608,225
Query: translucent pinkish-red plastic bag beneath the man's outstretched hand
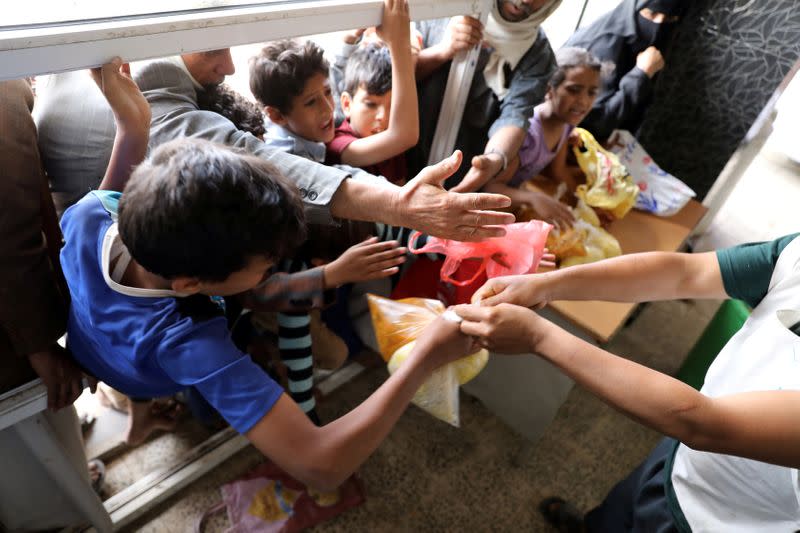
x,y
517,252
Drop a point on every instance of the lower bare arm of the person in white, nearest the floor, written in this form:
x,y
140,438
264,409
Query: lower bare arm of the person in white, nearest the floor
x,y
756,425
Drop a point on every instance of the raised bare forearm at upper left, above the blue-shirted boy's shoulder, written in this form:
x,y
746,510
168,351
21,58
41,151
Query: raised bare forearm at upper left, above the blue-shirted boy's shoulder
x,y
132,118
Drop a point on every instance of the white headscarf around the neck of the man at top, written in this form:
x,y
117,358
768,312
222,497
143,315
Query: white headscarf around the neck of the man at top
x,y
510,41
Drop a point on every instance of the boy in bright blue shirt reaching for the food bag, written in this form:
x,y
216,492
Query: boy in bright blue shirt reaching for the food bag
x,y
197,220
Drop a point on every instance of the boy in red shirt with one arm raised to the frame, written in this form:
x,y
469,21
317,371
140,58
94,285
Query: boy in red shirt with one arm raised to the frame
x,y
379,101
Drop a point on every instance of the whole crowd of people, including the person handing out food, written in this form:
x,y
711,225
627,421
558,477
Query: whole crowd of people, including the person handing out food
x,y
199,225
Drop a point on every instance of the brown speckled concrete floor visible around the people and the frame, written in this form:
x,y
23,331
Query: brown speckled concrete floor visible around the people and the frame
x,y
487,476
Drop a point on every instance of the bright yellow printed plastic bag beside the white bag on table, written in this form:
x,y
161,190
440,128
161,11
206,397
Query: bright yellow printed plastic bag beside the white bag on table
x,y
608,185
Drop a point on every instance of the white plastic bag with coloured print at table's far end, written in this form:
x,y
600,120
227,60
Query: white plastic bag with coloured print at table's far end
x,y
660,192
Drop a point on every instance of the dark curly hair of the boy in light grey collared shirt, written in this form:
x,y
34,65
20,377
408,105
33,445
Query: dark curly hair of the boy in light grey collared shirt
x,y
279,72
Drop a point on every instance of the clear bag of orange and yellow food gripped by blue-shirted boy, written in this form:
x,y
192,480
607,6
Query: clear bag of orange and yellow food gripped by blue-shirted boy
x,y
397,325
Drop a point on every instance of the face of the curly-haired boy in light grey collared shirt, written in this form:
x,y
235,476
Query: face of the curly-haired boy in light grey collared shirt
x,y
311,114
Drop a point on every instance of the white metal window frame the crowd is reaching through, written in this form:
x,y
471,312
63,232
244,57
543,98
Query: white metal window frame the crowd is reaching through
x,y
53,48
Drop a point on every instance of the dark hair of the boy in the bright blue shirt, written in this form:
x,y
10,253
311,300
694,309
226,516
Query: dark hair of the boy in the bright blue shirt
x,y
199,209
